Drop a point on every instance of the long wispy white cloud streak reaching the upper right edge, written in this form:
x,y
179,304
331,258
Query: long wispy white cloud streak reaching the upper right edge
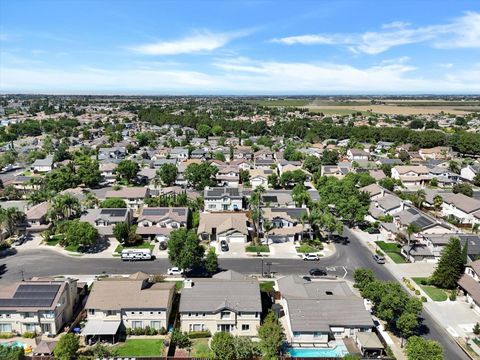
x,y
463,32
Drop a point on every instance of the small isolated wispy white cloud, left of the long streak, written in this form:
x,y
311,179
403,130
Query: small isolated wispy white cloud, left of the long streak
x,y
200,42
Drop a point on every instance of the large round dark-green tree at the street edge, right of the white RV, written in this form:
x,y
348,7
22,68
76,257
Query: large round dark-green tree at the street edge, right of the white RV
x,y
184,249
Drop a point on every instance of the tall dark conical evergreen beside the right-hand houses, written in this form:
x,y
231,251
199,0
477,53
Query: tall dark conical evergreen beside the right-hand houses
x,y
450,265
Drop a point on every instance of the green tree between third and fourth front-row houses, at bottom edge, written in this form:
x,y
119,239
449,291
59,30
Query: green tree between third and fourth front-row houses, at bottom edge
x,y
271,337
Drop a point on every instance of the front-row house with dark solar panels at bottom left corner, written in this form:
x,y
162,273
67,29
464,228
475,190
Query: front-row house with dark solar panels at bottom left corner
x,y
37,306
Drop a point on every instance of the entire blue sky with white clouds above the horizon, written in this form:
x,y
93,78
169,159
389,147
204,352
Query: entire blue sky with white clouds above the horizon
x,y
235,47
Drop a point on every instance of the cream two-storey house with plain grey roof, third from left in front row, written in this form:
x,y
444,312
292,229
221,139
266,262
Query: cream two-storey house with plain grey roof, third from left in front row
x,y
227,305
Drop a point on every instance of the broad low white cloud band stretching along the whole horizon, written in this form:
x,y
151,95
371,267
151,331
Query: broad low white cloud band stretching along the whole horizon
x,y
243,76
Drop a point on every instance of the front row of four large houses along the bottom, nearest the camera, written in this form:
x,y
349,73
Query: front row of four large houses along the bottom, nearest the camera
x,y
313,313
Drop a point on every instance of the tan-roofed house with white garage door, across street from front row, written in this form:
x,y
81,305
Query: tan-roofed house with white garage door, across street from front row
x,y
231,227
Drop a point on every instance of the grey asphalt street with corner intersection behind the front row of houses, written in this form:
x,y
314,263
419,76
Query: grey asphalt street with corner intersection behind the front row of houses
x,y
347,257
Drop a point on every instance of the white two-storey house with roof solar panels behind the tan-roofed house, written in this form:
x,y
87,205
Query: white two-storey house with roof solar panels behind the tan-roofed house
x,y
222,199
